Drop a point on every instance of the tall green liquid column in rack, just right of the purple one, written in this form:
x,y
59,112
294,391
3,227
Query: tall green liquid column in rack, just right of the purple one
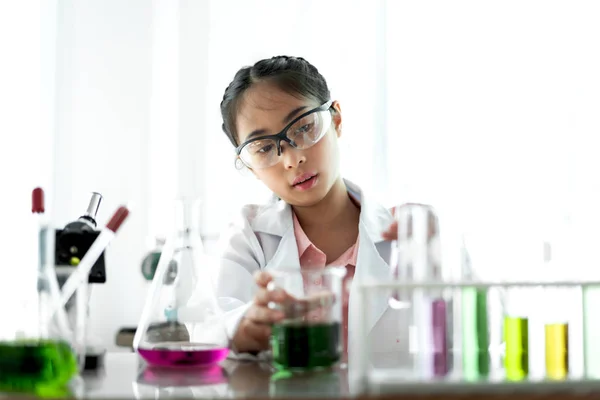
x,y
476,342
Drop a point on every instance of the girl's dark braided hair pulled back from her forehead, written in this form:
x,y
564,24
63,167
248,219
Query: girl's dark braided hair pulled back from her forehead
x,y
294,75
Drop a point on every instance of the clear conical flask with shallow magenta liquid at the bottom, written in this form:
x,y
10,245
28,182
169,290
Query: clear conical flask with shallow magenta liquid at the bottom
x,y
181,323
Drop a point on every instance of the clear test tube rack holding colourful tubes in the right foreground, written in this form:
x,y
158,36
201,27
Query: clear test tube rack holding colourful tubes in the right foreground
x,y
498,381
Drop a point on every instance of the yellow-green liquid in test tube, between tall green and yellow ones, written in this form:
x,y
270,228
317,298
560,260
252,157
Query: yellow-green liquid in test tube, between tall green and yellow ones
x,y
516,356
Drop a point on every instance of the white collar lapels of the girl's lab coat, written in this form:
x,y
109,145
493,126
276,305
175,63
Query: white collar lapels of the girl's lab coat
x,y
276,218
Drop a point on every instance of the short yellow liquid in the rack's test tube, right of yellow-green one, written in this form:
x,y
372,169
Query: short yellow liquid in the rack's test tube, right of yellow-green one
x,y
557,351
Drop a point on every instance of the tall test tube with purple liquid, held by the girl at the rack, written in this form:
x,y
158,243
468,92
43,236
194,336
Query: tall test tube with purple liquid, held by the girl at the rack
x,y
420,261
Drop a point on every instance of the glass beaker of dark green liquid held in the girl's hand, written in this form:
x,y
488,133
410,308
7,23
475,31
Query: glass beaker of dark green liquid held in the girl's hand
x,y
310,337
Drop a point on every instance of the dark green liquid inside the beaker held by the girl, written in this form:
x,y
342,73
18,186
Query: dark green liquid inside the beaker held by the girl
x,y
298,345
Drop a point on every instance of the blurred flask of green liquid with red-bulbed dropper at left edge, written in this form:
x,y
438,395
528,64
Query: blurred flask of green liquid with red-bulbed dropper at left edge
x,y
37,354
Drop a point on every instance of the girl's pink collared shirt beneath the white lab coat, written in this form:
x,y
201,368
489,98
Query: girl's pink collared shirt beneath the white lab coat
x,y
313,258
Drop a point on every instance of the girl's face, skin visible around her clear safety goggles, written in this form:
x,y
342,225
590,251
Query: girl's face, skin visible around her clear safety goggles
x,y
300,177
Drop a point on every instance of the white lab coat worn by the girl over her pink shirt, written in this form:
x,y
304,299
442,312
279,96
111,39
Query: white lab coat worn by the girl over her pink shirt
x,y
262,238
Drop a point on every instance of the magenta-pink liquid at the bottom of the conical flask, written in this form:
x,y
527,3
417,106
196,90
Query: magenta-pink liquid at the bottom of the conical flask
x,y
173,354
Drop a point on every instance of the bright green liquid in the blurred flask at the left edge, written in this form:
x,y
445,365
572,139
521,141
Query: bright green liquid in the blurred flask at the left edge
x,y
43,367
